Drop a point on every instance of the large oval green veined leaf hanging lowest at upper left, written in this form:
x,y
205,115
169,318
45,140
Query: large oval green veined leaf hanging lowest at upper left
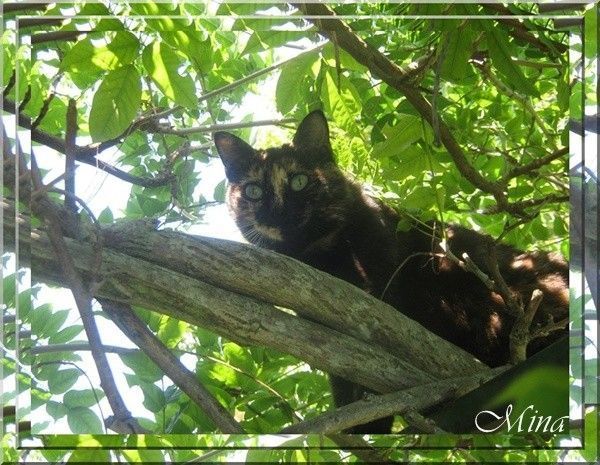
x,y
115,103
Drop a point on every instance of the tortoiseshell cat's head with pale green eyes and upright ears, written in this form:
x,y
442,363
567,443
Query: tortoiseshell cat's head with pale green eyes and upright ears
x,y
289,197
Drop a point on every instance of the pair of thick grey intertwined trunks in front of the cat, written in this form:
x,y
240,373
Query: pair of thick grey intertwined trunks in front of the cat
x,y
231,289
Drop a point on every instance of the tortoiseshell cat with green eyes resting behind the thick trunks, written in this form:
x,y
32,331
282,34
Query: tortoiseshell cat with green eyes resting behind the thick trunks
x,y
295,200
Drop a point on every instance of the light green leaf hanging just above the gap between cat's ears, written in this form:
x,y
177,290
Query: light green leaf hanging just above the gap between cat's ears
x,y
293,75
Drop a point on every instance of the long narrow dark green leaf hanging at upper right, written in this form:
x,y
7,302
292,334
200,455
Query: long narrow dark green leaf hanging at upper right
x,y
502,59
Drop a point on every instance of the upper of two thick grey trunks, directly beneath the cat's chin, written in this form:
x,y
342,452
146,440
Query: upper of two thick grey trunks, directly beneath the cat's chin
x,y
292,284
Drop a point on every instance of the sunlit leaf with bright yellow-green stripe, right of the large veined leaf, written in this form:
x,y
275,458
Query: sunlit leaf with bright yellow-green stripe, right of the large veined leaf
x,y
163,66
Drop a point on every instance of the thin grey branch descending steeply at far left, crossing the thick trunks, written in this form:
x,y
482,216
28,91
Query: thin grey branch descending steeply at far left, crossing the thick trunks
x,y
124,421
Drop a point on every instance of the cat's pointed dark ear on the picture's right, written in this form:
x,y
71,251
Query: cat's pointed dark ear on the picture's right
x,y
312,137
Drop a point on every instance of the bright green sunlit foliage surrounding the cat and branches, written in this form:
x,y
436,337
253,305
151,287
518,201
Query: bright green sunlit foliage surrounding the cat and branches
x,y
505,100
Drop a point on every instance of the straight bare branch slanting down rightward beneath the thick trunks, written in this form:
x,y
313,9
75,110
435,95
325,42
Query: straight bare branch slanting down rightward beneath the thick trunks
x,y
139,333
